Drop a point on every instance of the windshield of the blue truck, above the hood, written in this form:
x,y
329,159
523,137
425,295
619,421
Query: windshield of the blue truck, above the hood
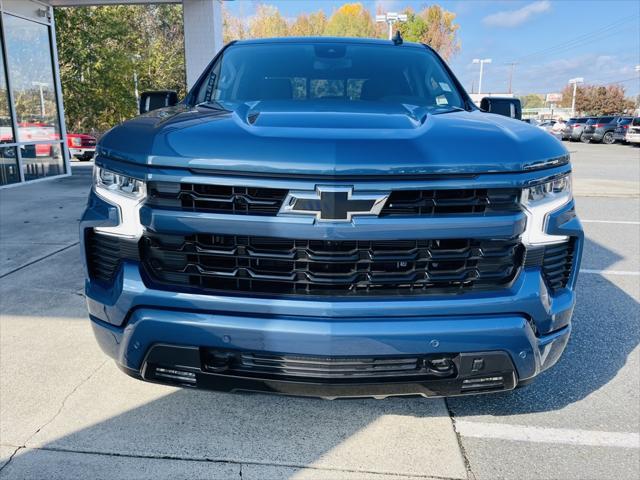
x,y
330,71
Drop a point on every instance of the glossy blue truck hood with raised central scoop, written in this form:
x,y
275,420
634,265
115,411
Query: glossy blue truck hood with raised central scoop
x,y
324,138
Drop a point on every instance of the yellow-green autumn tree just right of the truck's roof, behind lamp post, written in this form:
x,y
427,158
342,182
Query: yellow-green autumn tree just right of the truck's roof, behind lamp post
x,y
433,26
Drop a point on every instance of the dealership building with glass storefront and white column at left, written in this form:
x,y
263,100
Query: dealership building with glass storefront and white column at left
x,y
33,136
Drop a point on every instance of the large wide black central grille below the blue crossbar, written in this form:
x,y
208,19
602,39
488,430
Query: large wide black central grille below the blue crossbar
x,y
327,267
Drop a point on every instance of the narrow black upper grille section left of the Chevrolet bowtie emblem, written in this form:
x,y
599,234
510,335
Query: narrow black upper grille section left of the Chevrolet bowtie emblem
x,y
216,198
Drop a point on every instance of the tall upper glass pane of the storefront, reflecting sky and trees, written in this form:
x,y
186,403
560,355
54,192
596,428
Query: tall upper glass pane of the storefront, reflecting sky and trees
x,y
32,82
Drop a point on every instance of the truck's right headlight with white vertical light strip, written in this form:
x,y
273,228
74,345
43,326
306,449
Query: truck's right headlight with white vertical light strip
x,y
539,201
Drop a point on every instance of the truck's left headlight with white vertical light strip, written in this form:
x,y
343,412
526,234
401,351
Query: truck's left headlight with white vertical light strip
x,y
126,193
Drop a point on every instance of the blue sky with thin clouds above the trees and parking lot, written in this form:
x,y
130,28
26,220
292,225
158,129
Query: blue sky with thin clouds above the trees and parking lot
x,y
551,41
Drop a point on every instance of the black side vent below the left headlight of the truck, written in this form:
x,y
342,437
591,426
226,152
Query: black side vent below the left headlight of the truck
x,y
104,254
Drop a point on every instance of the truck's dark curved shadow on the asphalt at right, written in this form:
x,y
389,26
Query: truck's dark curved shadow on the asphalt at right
x,y
605,331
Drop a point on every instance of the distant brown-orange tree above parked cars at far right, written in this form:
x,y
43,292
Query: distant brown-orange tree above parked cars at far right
x,y
598,99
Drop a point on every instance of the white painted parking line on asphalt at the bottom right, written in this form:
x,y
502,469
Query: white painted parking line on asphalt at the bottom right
x,y
524,433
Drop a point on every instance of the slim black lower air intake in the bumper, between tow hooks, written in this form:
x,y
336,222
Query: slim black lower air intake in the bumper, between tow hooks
x,y
332,369
